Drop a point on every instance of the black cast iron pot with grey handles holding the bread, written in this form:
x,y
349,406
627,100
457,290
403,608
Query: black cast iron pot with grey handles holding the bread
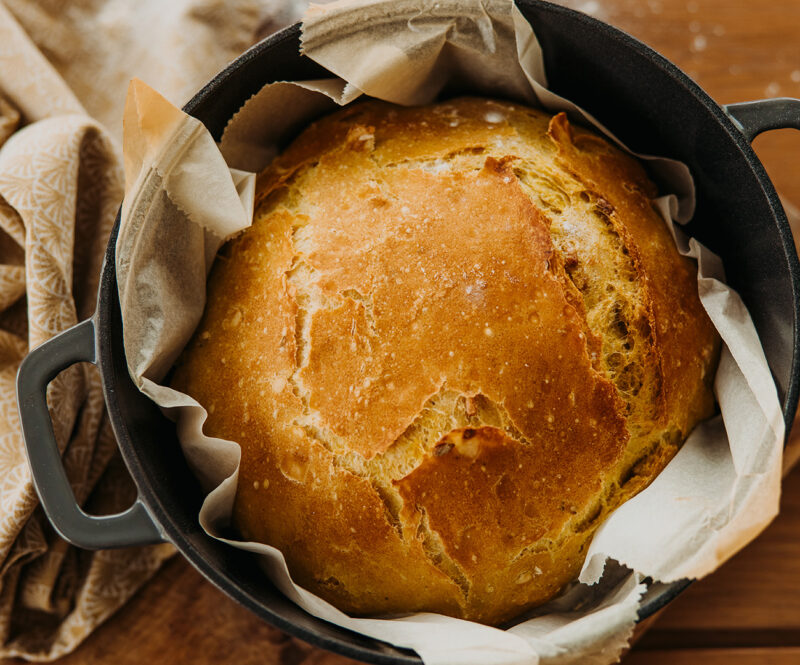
x,y
644,99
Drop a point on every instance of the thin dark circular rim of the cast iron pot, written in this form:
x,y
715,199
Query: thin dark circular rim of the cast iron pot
x,y
358,646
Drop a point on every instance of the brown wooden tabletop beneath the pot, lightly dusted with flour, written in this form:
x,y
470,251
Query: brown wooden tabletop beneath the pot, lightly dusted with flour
x,y
748,612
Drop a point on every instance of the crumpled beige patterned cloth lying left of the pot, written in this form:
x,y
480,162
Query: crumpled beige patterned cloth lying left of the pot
x,y
64,70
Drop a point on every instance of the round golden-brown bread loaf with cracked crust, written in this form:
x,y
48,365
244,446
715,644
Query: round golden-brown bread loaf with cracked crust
x,y
454,339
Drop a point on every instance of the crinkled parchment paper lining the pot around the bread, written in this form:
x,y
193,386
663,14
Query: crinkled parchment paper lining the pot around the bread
x,y
182,200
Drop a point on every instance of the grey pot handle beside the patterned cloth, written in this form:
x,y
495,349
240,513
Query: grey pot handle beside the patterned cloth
x,y
38,369
